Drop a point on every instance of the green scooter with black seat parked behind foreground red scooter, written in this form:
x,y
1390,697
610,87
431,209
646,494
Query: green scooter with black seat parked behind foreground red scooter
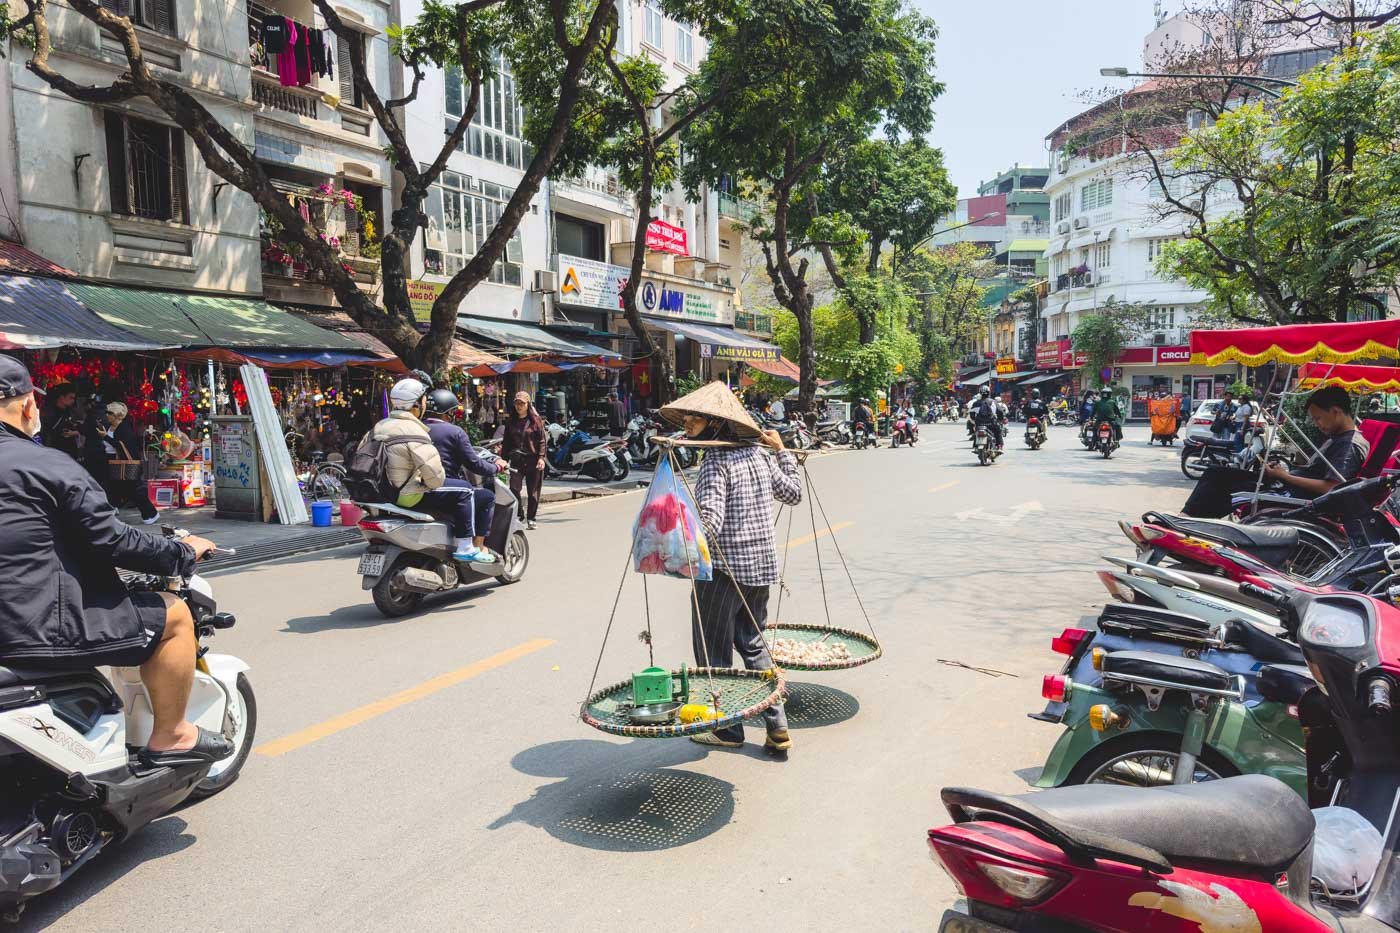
x,y
1160,719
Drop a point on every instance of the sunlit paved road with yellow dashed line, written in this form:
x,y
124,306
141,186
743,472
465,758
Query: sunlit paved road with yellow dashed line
x,y
430,773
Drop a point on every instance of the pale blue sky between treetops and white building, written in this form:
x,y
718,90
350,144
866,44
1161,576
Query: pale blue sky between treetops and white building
x,y
1014,71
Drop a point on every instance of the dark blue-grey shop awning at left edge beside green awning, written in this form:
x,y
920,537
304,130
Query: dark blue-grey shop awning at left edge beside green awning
x,y
43,313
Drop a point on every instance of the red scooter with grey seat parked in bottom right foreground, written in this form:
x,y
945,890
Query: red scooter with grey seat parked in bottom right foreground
x,y
1226,855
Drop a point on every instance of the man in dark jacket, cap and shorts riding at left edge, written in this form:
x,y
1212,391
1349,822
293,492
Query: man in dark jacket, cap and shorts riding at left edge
x,y
62,603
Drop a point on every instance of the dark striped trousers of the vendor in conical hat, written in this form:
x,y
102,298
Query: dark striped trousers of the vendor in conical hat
x,y
719,613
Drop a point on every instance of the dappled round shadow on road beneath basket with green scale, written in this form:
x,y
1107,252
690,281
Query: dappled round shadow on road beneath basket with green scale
x,y
624,809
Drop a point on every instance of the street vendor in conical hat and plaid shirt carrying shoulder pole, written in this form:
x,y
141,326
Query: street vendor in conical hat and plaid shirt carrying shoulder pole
x,y
736,494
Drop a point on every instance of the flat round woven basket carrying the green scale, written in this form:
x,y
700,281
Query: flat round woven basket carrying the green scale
x,y
743,696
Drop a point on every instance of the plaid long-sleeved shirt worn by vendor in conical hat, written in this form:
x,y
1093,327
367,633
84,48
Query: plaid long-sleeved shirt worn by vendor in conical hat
x,y
736,498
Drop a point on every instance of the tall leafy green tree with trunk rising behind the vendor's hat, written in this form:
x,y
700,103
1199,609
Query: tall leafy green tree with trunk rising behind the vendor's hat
x,y
814,79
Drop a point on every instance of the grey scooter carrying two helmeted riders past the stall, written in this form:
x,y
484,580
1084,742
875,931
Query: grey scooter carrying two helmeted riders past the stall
x,y
409,553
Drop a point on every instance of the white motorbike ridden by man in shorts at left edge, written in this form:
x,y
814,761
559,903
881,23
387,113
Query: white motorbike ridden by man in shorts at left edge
x,y
71,780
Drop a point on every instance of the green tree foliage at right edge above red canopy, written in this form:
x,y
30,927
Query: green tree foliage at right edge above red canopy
x,y
1317,176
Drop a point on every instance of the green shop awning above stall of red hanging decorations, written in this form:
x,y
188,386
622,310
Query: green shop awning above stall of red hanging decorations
x,y
197,320
